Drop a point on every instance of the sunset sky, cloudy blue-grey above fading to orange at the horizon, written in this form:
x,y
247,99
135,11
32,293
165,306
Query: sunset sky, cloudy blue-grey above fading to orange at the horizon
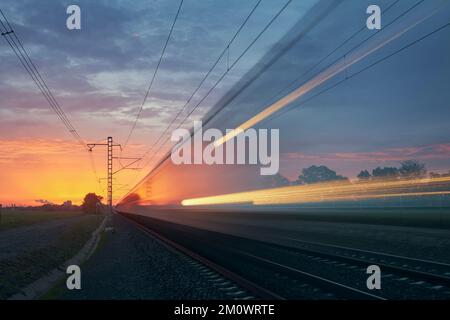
x,y
397,110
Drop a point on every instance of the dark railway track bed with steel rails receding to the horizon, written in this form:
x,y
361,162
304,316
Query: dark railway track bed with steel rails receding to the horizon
x,y
307,271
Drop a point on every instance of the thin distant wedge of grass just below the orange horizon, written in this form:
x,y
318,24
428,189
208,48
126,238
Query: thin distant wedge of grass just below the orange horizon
x,y
18,218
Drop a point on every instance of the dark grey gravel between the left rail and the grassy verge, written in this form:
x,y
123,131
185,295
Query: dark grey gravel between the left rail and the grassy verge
x,y
132,265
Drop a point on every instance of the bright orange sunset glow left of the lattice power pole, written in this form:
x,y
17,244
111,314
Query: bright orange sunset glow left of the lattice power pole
x,y
54,171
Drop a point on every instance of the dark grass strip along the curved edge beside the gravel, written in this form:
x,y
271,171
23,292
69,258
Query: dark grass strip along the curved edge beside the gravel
x,y
22,270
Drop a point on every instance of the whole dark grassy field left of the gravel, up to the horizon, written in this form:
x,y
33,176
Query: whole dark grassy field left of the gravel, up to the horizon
x,y
34,243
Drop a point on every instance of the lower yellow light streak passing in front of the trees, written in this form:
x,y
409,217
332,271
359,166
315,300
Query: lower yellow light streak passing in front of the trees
x,y
331,191
